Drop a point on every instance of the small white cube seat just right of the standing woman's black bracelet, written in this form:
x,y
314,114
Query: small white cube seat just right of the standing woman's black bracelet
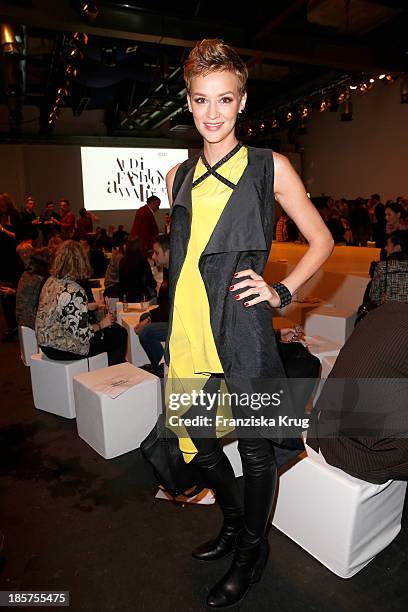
x,y
331,323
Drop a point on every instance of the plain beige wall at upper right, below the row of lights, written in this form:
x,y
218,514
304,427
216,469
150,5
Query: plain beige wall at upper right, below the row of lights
x,y
367,155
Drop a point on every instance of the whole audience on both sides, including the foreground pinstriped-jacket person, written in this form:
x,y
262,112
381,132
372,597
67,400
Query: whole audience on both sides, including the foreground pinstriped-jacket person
x,y
47,262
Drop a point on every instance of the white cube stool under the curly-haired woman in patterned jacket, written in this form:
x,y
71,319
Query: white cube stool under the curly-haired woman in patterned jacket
x,y
51,382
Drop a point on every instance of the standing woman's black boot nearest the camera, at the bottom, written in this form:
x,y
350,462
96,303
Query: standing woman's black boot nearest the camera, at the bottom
x,y
246,569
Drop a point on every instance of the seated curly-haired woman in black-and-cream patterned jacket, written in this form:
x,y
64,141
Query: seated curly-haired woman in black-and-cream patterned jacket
x,y
62,324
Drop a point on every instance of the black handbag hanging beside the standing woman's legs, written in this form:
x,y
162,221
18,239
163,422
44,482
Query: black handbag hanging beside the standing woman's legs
x,y
161,450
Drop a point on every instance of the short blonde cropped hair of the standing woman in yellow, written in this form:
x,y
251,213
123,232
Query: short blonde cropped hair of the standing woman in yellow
x,y
212,55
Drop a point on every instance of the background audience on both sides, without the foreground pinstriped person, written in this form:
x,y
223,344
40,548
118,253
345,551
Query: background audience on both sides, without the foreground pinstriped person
x,y
47,260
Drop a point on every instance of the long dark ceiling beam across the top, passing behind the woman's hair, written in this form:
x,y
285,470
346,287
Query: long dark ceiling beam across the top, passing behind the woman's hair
x,y
160,29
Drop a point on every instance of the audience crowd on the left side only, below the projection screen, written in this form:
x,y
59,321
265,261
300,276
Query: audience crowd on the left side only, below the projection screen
x,y
48,262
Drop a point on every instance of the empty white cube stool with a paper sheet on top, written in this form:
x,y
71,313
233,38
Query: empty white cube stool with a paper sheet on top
x,y
113,427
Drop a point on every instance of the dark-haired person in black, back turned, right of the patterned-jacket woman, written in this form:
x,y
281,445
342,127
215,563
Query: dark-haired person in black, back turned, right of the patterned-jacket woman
x,y
135,276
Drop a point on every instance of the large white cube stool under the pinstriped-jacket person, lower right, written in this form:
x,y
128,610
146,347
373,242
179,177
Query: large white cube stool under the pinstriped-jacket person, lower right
x,y
340,520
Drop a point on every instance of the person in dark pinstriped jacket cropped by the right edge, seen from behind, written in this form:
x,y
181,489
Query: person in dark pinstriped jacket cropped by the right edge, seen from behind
x,y
360,421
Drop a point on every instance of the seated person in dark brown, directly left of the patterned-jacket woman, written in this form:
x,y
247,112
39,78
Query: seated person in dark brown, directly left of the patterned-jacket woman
x,y
29,286
